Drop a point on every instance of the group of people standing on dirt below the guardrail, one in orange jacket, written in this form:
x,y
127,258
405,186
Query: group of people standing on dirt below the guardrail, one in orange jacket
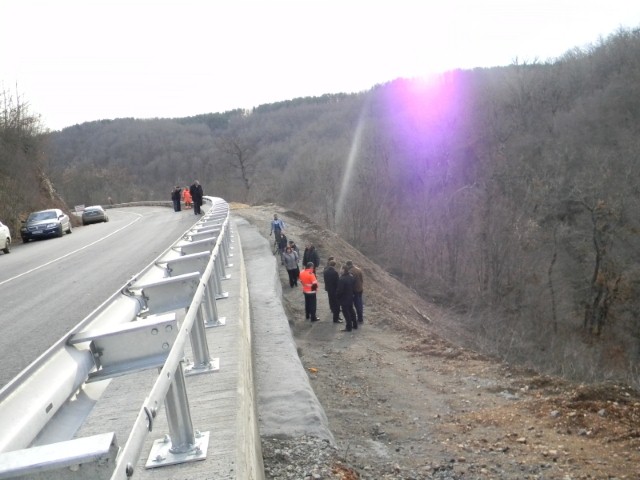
x,y
344,289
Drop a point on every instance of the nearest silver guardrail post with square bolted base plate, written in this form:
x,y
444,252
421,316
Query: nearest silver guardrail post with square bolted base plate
x,y
183,444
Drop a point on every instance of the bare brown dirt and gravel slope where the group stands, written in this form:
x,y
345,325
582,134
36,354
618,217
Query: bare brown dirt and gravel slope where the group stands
x,y
405,402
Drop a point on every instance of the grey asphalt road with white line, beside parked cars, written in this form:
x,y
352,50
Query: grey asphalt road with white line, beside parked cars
x,y
49,286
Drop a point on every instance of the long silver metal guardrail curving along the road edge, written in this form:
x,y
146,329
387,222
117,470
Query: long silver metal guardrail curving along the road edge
x,y
143,313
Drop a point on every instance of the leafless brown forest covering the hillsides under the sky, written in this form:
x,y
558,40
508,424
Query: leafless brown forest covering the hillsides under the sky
x,y
509,195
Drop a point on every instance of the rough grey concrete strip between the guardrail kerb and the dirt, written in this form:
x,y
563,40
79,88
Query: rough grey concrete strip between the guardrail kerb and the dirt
x,y
288,406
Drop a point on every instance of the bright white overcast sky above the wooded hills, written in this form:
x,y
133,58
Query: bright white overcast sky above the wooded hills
x,y
82,60
